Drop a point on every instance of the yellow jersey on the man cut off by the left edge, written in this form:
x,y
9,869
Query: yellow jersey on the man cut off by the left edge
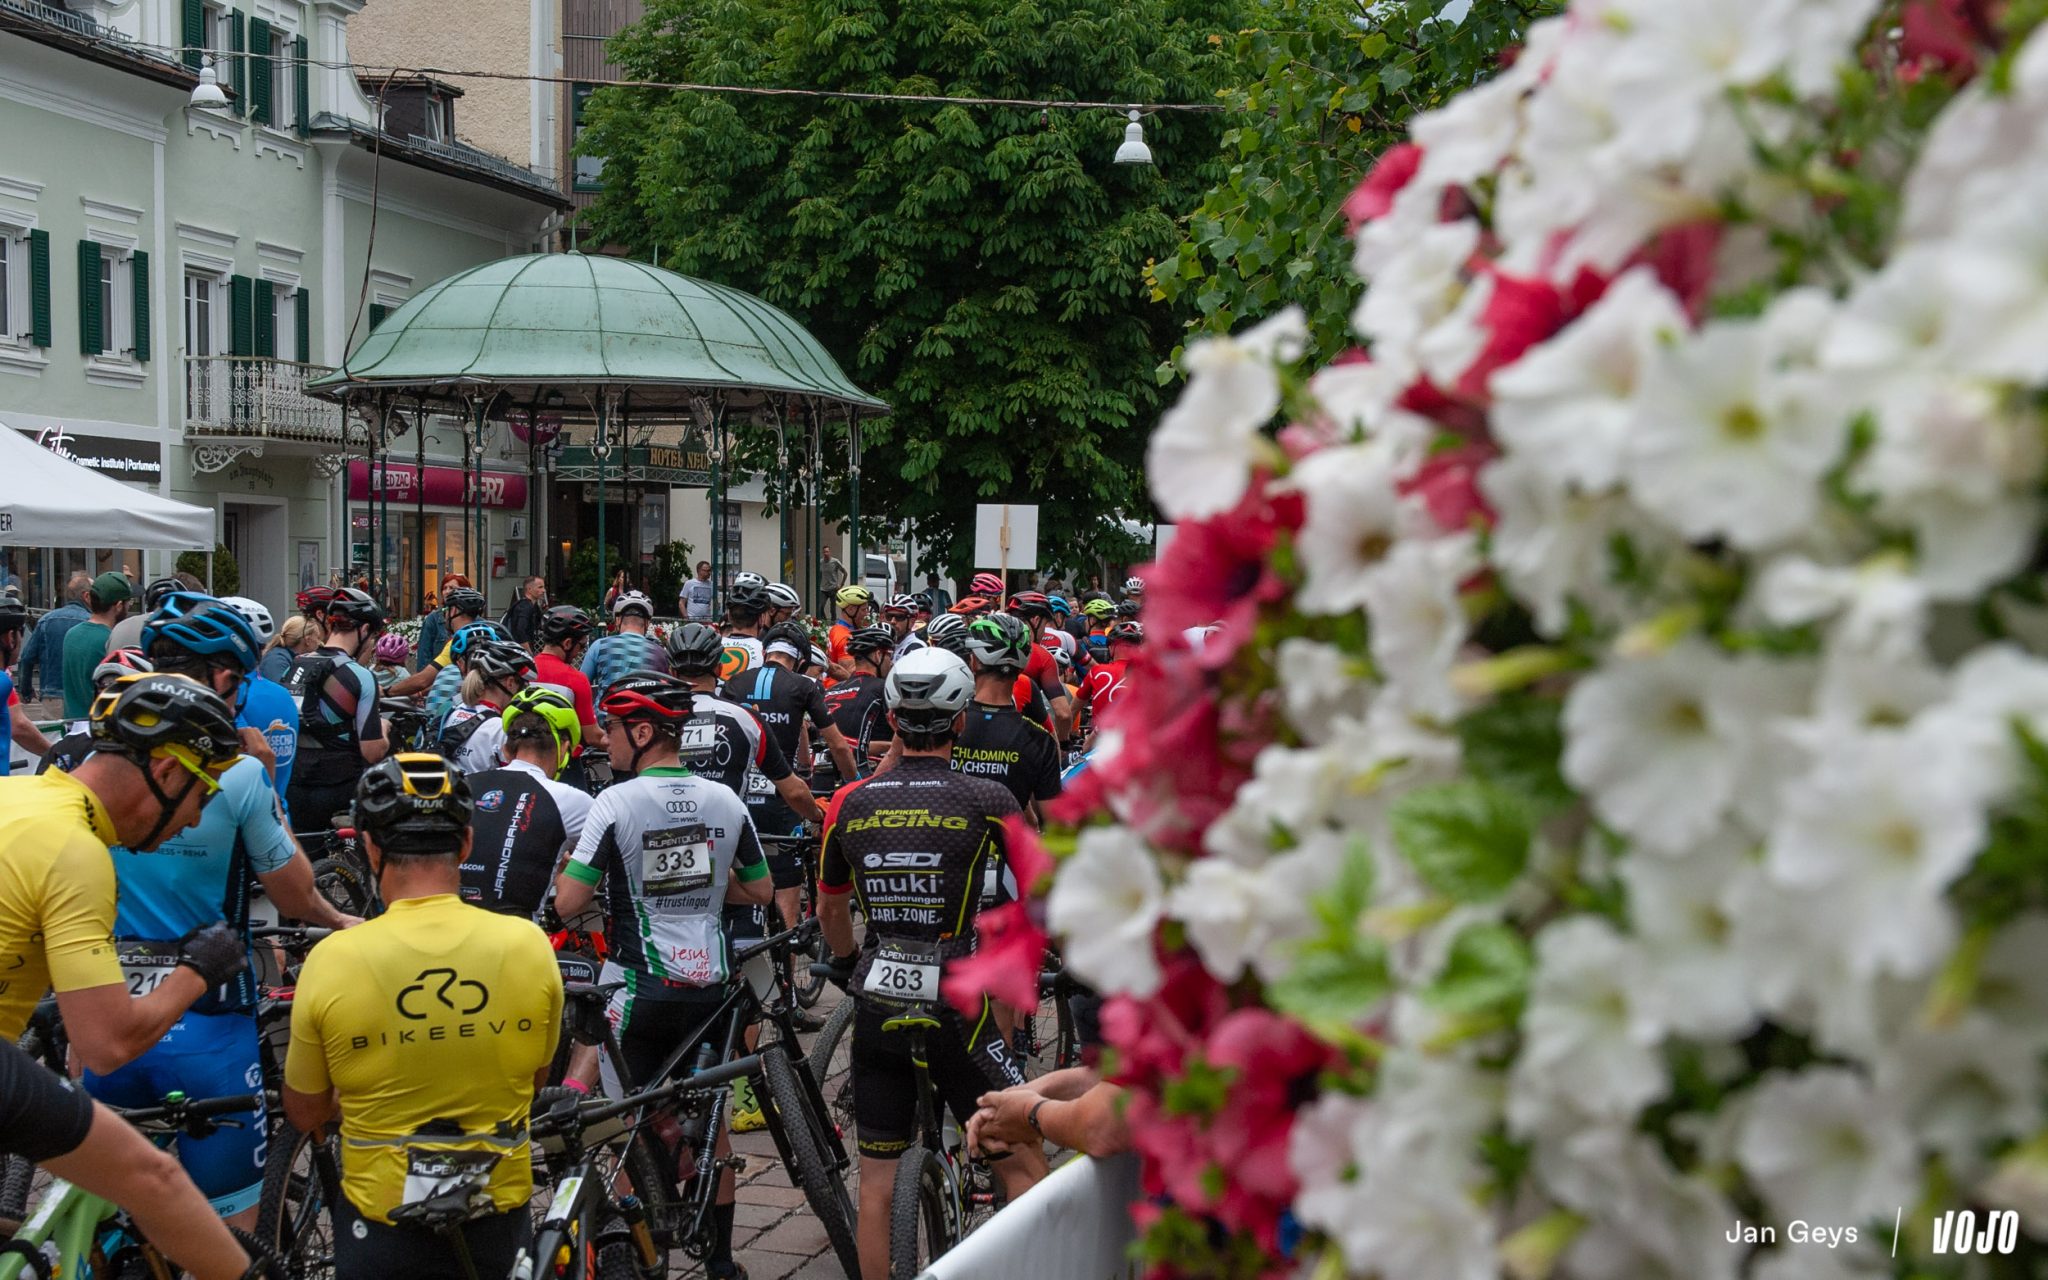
x,y
56,894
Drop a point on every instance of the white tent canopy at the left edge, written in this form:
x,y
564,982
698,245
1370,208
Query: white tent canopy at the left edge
x,y
52,503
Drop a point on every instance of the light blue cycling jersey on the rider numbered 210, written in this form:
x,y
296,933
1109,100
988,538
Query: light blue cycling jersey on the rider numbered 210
x,y
204,876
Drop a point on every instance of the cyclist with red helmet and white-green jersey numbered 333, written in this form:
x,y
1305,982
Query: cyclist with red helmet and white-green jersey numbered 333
x,y
667,851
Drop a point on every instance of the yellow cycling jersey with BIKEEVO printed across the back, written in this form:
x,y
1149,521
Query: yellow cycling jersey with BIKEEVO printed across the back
x,y
429,1023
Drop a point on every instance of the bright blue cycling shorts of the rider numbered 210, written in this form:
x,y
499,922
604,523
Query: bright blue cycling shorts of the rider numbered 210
x,y
206,1056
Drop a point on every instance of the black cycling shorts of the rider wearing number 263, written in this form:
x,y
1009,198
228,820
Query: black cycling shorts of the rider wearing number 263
x,y
966,1062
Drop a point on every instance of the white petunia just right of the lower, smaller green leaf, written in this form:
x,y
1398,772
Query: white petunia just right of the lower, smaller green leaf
x,y
1588,1046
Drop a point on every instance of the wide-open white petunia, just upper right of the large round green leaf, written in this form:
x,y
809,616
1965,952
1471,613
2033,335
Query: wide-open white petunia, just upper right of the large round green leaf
x,y
1660,742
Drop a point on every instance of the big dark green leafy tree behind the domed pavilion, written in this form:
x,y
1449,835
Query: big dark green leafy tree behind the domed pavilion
x,y
980,269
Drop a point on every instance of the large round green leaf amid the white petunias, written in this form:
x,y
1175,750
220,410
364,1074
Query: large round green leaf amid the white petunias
x,y
1467,841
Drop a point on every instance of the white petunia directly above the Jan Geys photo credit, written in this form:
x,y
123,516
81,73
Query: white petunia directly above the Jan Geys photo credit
x,y
1822,1146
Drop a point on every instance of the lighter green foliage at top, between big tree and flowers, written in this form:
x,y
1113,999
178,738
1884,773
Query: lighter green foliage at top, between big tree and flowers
x,y
1330,87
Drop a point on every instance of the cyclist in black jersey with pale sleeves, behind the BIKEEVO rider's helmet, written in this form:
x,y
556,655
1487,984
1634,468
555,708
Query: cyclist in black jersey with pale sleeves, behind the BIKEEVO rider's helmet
x,y
341,732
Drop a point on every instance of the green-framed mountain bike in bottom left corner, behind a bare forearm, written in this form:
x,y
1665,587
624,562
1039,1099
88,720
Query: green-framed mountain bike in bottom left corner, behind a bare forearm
x,y
77,1234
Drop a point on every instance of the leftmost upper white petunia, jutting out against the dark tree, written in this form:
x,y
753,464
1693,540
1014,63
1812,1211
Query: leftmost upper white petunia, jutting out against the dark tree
x,y
1201,456
